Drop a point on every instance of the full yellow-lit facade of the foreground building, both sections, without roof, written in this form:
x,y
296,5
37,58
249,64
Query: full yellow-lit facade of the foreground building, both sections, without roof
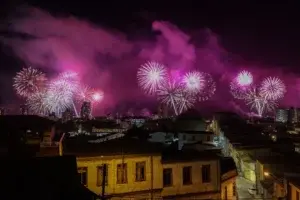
x,y
158,179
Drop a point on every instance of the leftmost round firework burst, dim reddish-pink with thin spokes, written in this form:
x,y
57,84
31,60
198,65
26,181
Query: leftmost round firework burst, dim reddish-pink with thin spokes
x,y
29,81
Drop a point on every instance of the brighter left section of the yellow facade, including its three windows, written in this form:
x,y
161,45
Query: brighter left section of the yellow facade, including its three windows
x,y
129,185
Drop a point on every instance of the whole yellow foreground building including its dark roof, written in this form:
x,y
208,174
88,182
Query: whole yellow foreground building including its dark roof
x,y
136,169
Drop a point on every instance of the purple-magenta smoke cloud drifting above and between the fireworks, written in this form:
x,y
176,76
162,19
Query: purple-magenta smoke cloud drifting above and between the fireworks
x,y
106,59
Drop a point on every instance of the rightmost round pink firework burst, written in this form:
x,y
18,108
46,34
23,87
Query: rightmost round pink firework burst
x,y
272,88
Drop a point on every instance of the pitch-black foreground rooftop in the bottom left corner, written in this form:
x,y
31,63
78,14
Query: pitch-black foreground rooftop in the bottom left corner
x,y
51,178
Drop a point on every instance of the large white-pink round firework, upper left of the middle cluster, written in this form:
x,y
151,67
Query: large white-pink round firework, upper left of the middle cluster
x,y
150,76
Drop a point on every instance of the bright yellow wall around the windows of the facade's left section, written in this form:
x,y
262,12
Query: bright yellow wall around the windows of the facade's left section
x,y
152,181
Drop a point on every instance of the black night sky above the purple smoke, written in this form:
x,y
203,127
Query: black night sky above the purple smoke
x,y
262,33
